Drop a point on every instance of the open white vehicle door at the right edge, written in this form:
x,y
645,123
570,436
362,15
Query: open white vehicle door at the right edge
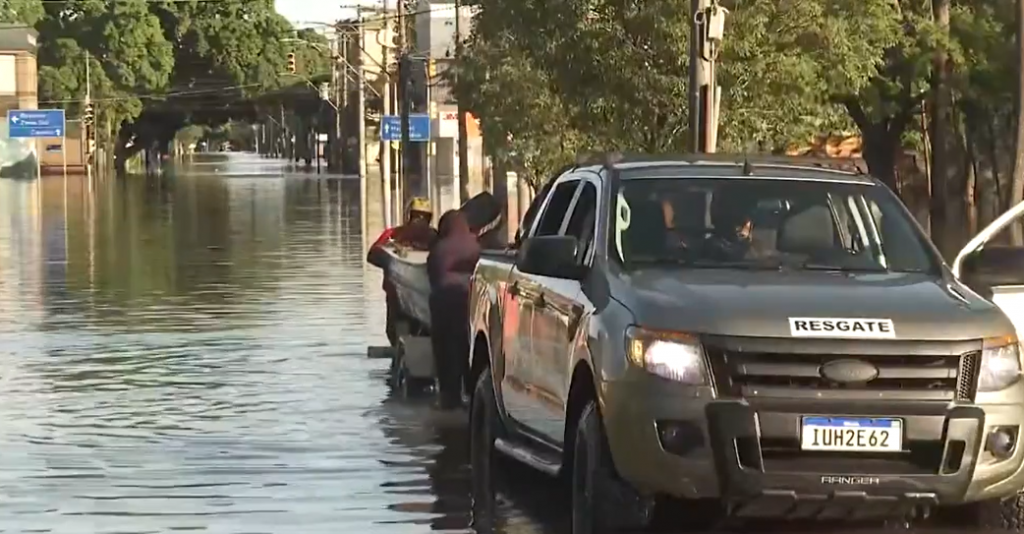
x,y
1001,272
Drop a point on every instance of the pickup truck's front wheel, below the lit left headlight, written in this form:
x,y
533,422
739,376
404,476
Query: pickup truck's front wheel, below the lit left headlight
x,y
602,503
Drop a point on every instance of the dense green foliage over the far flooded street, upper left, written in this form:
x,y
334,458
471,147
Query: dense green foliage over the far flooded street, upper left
x,y
157,66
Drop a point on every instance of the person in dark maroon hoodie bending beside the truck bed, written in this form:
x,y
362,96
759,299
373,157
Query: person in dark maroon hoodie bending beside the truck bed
x,y
450,266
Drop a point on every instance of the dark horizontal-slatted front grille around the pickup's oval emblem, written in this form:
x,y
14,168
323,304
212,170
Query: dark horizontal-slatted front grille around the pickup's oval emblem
x,y
750,375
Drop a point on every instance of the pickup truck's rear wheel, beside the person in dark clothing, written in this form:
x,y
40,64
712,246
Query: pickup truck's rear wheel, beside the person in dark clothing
x,y
485,428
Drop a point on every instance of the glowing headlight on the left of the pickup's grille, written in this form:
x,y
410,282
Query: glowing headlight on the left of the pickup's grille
x,y
673,356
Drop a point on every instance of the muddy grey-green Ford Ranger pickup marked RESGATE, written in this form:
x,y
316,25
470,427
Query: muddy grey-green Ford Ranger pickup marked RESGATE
x,y
732,338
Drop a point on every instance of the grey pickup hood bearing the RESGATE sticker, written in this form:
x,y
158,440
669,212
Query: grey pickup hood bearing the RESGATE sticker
x,y
763,303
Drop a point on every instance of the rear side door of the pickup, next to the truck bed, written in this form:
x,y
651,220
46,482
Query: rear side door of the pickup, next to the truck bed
x,y
521,394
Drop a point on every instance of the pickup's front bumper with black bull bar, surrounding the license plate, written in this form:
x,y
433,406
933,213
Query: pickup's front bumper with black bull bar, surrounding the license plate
x,y
684,442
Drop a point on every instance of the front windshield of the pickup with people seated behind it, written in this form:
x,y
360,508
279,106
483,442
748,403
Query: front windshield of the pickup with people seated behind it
x,y
766,224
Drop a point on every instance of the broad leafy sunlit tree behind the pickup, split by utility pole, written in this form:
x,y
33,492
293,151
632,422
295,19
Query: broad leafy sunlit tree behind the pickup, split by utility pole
x,y
613,74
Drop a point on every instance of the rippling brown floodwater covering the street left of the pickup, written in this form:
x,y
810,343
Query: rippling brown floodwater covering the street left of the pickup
x,y
189,354
